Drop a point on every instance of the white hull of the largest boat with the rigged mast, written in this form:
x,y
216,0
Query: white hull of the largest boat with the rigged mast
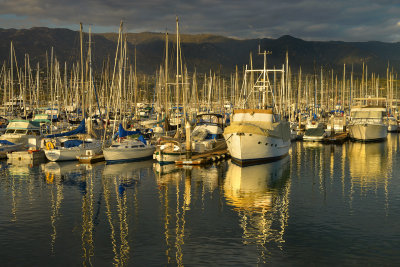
x,y
252,148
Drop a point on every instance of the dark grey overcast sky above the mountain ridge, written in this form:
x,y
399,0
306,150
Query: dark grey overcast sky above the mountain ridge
x,y
345,20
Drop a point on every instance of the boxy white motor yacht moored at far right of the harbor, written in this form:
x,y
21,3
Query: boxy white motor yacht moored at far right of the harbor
x,y
367,123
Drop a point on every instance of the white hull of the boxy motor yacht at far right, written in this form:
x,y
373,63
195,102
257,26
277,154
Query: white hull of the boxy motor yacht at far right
x,y
368,132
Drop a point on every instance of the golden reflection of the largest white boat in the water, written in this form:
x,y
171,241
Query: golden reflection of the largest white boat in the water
x,y
260,195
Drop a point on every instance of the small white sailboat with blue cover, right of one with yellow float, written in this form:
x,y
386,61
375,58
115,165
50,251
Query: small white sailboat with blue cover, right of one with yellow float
x,y
126,148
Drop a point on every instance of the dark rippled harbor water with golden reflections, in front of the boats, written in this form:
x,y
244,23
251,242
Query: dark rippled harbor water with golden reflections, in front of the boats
x,y
320,205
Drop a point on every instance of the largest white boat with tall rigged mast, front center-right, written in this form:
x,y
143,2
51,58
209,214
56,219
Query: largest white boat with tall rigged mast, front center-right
x,y
258,134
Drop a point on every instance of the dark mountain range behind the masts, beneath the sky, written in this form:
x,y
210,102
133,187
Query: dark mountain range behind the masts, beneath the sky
x,y
202,52
